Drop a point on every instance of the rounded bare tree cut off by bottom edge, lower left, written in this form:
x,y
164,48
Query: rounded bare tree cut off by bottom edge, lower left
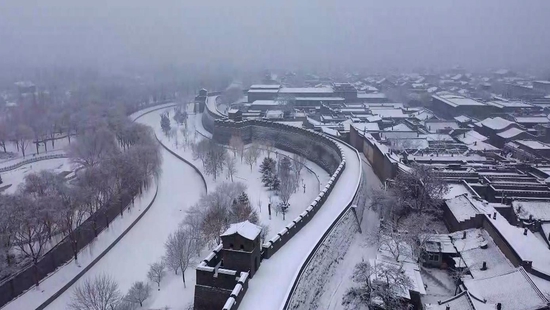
x,y
99,293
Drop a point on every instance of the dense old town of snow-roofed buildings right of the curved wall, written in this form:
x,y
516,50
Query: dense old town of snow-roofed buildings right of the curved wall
x,y
486,135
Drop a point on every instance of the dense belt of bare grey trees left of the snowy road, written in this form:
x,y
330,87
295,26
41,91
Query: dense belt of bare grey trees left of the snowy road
x,y
115,160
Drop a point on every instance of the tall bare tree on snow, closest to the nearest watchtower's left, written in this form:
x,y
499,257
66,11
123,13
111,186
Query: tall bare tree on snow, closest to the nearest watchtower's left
x,y
180,250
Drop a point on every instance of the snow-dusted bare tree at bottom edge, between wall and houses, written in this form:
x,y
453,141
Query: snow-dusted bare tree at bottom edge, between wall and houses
x,y
379,286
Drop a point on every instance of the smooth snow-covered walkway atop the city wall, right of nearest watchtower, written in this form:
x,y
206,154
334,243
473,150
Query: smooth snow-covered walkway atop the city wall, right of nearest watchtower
x,y
271,284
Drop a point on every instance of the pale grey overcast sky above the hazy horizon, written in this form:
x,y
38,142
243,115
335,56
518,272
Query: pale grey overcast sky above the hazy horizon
x,y
400,34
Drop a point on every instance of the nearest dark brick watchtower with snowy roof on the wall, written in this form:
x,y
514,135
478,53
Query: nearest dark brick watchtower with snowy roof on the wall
x,y
241,247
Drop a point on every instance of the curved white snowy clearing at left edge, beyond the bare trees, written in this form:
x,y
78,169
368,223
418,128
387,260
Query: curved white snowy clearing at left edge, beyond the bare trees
x,y
17,176
